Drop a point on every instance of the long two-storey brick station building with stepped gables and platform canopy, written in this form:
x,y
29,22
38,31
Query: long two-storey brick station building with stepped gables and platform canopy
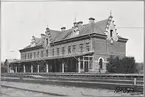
x,y
82,48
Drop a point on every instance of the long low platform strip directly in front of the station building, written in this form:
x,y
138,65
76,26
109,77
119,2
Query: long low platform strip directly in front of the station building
x,y
82,75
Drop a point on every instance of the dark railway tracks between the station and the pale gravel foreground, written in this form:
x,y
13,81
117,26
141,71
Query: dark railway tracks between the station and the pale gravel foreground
x,y
108,81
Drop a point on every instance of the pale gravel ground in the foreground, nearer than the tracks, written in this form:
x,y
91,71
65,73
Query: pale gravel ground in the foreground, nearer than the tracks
x,y
64,90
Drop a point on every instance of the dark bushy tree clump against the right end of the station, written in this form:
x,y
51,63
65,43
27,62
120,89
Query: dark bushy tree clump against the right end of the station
x,y
124,65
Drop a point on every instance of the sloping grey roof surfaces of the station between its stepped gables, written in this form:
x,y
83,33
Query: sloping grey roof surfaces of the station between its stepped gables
x,y
96,27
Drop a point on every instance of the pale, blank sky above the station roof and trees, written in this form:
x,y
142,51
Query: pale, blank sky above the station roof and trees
x,y
22,20
